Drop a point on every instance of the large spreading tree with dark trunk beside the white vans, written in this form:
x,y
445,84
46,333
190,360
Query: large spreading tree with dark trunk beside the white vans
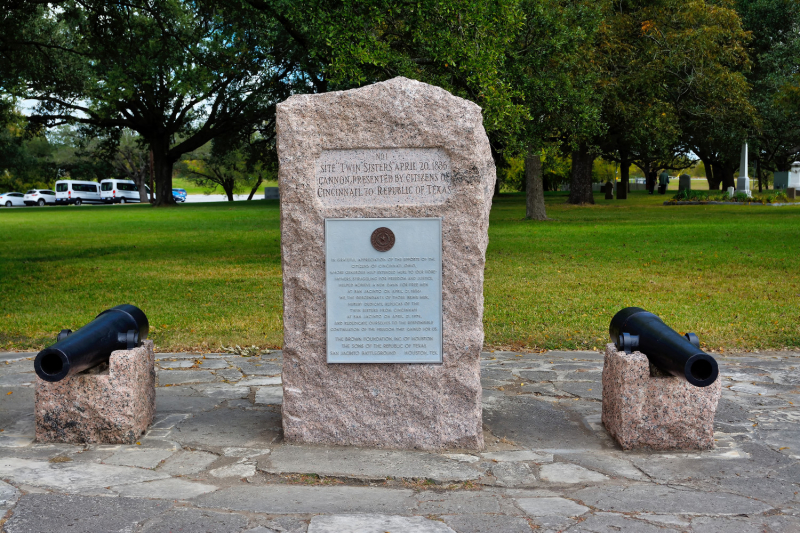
x,y
178,73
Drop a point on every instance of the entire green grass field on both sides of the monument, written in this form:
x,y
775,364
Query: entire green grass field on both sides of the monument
x,y
209,274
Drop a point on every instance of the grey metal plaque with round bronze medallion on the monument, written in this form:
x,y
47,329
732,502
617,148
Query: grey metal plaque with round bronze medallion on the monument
x,y
384,303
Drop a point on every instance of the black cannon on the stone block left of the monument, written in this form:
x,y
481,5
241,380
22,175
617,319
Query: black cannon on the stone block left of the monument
x,y
120,328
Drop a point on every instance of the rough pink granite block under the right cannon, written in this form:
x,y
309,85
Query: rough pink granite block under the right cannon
x,y
660,412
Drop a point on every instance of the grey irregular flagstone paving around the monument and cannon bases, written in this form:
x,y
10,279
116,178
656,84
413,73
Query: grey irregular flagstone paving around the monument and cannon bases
x,y
214,461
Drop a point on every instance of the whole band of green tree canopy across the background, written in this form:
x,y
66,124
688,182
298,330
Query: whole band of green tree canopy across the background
x,y
648,82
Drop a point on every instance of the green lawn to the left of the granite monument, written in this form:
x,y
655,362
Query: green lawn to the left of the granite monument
x,y
205,274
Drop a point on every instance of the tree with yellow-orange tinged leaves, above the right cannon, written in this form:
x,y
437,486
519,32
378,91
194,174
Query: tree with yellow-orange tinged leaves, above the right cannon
x,y
672,82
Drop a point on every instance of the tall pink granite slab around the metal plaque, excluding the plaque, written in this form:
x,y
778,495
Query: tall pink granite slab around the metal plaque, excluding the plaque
x,y
410,406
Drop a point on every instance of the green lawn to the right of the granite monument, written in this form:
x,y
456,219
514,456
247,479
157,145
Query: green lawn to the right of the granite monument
x,y
731,274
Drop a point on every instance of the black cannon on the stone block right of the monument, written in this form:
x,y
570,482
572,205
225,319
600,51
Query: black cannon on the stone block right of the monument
x,y
633,328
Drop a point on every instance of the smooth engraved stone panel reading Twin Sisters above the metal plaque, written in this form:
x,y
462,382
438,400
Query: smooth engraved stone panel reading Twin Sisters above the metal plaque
x,y
390,176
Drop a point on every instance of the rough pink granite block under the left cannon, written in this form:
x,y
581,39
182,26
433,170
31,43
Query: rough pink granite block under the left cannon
x,y
109,404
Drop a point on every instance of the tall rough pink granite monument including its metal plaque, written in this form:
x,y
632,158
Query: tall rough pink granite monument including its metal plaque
x,y
385,197
